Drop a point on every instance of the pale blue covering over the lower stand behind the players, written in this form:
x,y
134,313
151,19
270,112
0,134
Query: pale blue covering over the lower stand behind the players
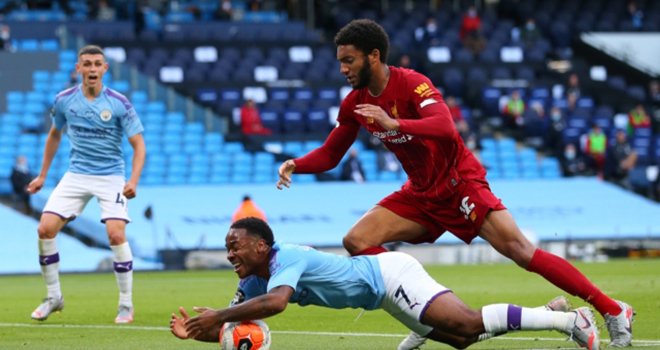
x,y
553,209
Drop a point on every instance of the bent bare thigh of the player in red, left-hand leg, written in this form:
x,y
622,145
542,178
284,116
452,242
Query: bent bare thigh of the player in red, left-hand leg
x,y
379,226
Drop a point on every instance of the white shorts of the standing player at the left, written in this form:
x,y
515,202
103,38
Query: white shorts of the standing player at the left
x,y
74,191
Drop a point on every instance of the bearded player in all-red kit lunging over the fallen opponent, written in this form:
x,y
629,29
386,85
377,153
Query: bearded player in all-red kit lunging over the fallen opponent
x,y
446,188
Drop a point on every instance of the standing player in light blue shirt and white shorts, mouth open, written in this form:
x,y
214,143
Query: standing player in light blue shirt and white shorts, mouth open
x,y
97,118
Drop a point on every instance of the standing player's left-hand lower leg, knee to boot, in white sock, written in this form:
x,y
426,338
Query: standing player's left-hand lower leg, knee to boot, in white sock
x,y
49,225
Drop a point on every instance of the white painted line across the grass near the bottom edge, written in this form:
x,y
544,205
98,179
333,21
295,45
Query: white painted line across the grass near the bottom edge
x,y
341,334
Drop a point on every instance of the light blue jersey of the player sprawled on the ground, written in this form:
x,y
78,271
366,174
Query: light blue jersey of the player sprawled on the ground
x,y
319,278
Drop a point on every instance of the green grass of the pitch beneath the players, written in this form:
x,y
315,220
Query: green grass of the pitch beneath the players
x,y
91,299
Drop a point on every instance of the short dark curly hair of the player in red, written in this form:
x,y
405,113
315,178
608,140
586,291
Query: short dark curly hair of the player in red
x,y
366,35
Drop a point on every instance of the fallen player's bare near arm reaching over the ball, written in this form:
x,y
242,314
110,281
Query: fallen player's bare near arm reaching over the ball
x,y
266,305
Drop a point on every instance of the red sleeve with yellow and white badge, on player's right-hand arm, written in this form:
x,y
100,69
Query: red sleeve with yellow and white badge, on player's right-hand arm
x,y
436,120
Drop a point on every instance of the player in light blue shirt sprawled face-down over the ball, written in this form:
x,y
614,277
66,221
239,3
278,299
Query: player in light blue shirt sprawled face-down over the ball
x,y
274,274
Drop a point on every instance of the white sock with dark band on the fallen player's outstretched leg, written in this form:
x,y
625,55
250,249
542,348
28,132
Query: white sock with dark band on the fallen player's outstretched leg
x,y
500,318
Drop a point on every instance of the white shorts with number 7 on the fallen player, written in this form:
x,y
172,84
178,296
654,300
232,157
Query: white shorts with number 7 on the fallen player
x,y
409,290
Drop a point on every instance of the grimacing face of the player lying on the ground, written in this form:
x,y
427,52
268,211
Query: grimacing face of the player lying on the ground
x,y
243,252
